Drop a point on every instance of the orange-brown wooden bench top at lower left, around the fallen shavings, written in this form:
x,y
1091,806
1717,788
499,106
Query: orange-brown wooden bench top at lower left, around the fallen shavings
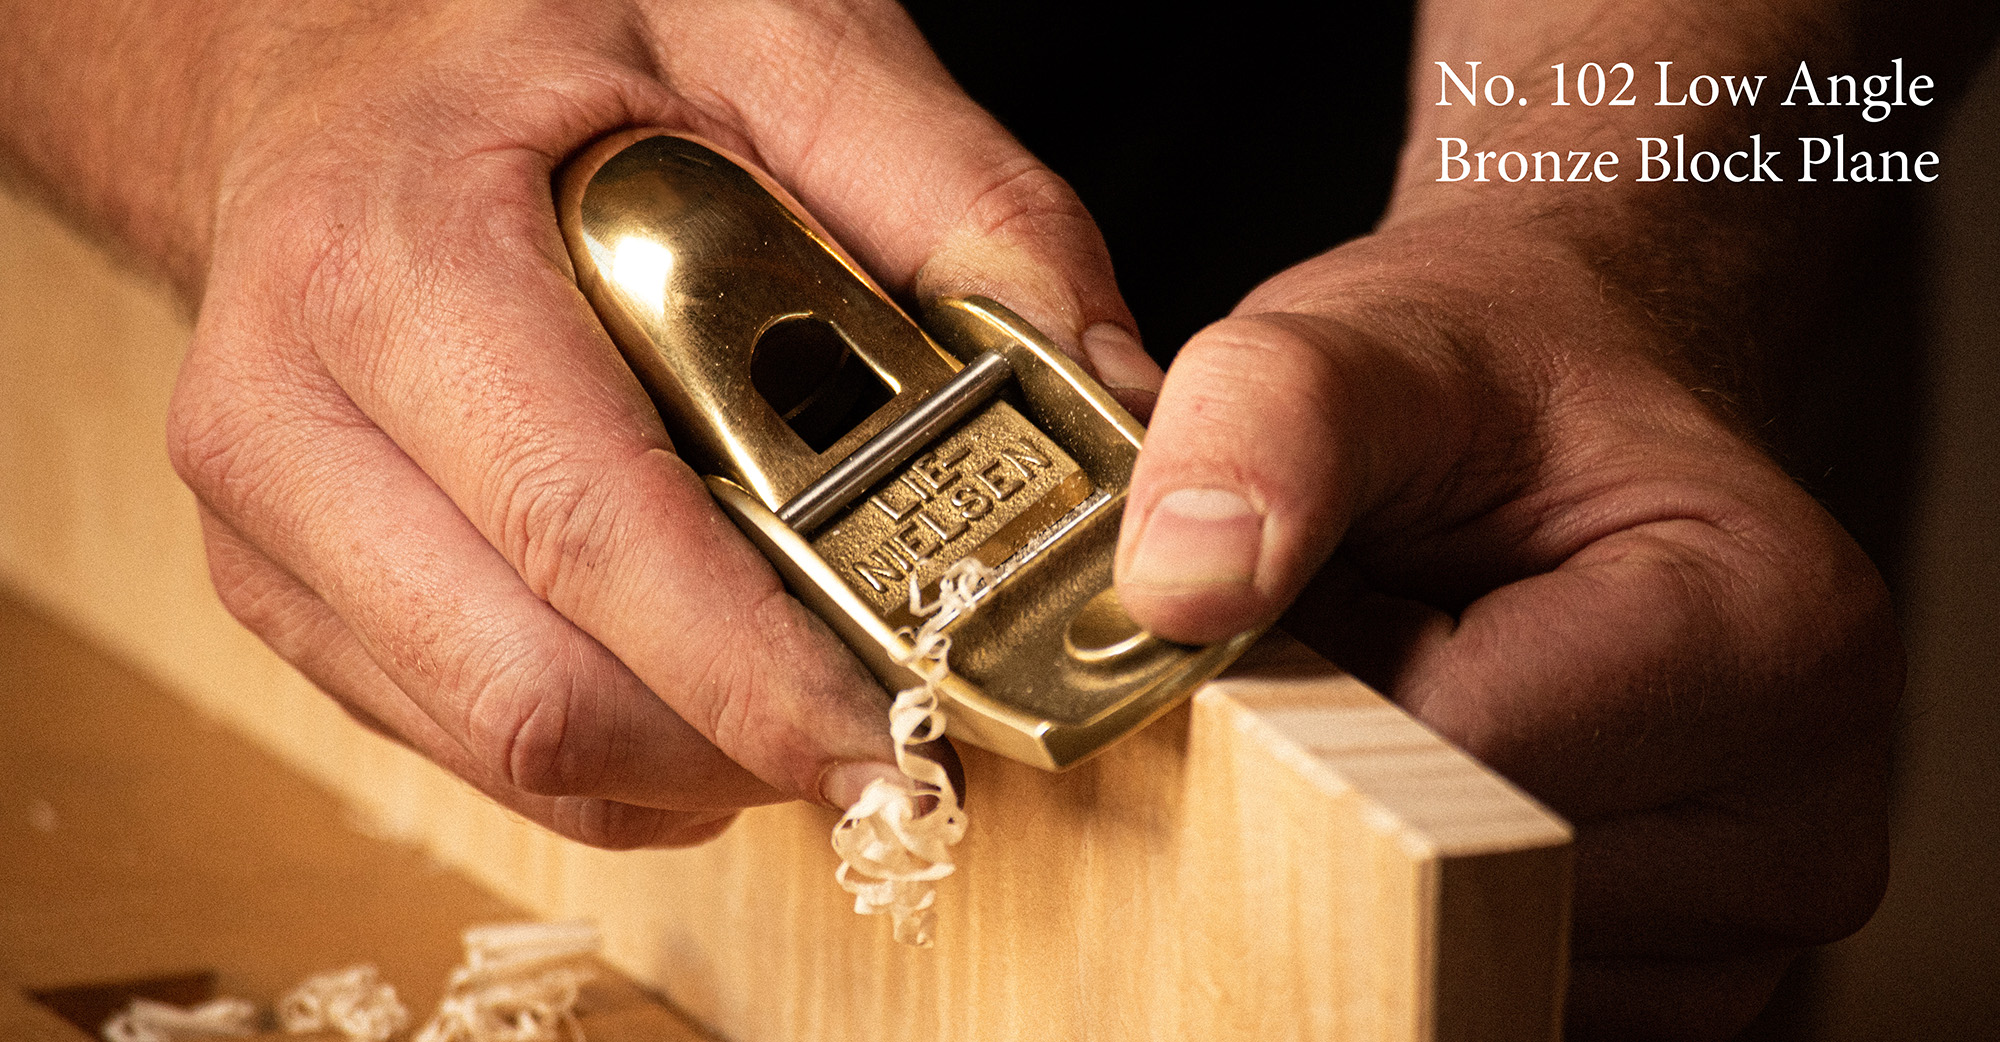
x,y
139,845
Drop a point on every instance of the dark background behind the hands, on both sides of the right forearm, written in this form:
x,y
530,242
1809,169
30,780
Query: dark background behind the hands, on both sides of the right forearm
x,y
1219,149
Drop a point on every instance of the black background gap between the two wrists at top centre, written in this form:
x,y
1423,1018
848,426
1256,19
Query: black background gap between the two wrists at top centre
x,y
1201,143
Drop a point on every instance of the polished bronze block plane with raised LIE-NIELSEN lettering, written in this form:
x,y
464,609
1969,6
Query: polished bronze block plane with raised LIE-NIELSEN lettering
x,y
857,453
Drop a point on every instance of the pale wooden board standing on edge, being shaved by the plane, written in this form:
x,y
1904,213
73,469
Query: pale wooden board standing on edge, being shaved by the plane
x,y
1291,857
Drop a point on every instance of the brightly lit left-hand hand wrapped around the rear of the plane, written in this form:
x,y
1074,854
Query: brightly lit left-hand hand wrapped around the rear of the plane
x,y
429,481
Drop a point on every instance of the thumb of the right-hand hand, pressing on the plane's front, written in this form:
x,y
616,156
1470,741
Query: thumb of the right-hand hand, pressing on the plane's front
x,y
1271,435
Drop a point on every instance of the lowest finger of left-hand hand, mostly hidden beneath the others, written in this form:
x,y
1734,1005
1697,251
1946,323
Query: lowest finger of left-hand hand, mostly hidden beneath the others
x,y
311,637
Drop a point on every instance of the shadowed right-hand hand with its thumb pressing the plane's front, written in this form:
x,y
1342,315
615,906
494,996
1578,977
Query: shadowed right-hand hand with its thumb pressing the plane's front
x,y
1533,535
